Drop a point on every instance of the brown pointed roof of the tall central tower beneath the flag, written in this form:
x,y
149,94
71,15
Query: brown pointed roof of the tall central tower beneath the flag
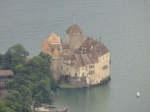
x,y
74,29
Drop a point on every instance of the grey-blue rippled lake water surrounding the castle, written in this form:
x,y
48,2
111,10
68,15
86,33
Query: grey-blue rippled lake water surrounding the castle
x,y
123,25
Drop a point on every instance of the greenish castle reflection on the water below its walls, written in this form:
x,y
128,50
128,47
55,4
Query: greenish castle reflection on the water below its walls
x,y
85,99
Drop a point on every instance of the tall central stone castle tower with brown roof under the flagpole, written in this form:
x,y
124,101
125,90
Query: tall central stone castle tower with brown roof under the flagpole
x,y
74,37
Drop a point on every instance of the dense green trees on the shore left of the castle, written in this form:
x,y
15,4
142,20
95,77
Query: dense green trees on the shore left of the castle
x,y
32,82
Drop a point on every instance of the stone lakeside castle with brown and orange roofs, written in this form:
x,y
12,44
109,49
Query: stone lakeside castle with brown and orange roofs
x,y
82,61
